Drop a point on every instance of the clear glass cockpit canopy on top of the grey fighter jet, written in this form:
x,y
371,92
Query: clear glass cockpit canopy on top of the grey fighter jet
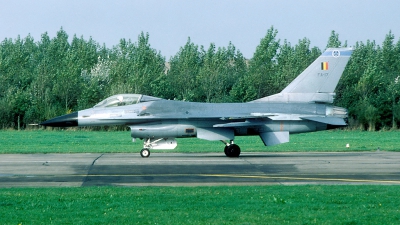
x,y
125,99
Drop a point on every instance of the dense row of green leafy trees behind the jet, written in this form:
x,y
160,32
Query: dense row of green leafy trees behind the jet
x,y
51,77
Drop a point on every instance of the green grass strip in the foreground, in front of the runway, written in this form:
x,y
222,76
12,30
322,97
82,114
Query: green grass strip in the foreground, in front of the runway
x,y
202,205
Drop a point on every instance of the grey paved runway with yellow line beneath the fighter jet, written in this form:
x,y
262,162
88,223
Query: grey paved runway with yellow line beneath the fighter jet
x,y
200,169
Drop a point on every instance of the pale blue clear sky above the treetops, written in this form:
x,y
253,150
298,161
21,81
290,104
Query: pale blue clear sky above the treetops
x,y
170,23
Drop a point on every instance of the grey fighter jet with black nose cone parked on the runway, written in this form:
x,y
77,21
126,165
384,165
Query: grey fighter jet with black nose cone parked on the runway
x,y
305,105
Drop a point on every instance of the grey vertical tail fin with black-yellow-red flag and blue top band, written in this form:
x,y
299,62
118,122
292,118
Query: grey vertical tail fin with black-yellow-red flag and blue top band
x,y
318,82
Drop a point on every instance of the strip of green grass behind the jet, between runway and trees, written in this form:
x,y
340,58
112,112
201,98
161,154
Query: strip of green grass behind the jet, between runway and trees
x,y
41,141
